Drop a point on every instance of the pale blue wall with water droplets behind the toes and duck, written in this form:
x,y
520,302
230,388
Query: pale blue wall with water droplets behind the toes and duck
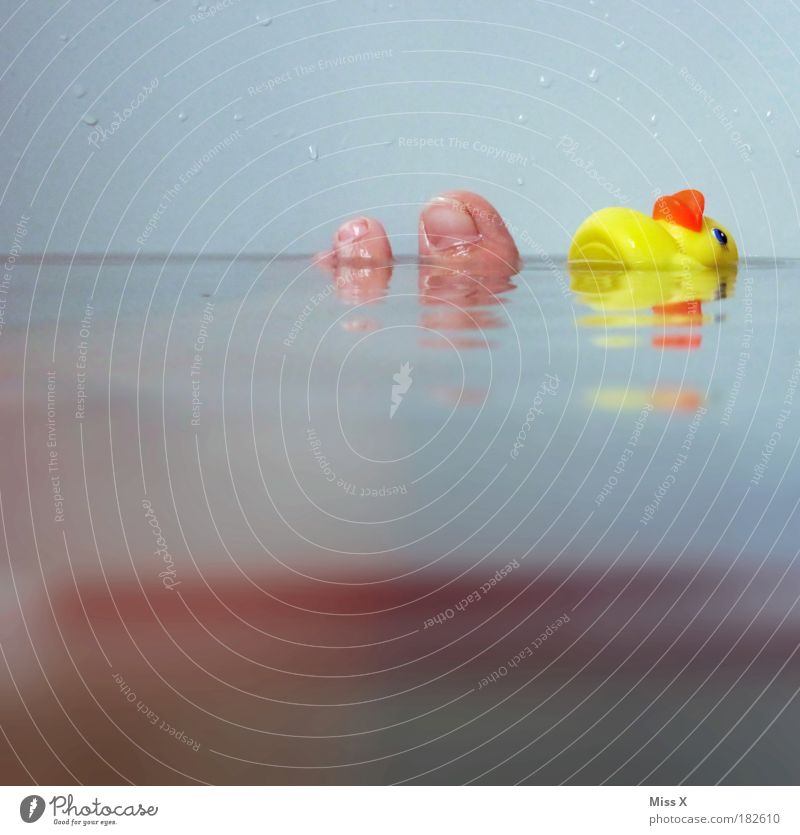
x,y
465,70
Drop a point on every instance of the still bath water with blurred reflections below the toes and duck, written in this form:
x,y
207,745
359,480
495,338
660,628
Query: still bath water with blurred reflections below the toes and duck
x,y
398,525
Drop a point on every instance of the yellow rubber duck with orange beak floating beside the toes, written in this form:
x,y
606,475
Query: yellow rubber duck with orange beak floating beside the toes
x,y
677,237
